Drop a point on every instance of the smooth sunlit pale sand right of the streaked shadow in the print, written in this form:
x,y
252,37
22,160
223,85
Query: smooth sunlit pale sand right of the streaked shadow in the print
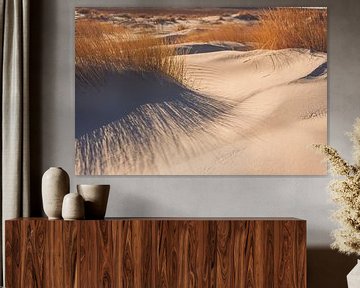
x,y
279,111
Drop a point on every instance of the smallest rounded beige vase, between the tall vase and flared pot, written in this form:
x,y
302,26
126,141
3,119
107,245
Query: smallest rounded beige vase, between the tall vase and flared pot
x,y
73,207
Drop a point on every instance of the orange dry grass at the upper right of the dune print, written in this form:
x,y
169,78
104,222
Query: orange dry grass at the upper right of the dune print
x,y
277,29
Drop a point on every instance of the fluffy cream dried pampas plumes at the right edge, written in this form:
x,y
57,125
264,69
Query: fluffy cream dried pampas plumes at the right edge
x,y
345,192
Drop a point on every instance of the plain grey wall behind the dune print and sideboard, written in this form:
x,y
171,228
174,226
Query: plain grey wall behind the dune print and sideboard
x,y
52,92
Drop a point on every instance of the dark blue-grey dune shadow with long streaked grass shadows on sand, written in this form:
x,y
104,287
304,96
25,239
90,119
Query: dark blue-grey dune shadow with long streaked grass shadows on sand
x,y
131,118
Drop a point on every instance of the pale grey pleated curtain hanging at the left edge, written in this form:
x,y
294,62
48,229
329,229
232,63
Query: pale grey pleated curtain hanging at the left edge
x,y
14,25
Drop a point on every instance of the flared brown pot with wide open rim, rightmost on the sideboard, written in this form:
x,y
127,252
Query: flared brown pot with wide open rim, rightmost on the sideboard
x,y
95,197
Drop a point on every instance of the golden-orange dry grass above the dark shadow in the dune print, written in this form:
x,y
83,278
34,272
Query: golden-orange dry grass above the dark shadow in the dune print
x,y
102,46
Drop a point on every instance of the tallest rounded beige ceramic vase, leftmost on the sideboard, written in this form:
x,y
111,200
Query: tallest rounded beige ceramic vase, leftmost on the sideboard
x,y
55,185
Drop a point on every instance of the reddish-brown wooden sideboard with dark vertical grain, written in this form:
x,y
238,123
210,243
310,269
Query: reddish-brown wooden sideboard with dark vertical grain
x,y
156,252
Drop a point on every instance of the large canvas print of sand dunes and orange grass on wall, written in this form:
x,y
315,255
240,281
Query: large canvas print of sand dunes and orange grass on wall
x,y
218,91
